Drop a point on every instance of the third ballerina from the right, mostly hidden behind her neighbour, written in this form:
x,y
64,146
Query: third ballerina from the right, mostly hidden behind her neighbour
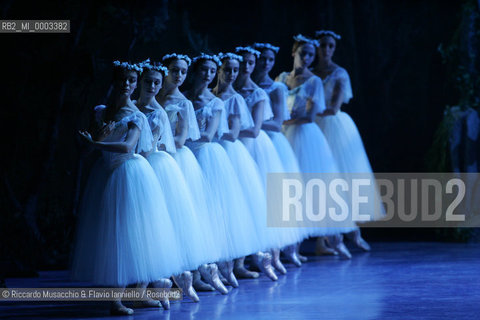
x,y
277,92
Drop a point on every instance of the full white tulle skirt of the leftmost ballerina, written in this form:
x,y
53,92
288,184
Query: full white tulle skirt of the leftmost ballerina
x,y
125,235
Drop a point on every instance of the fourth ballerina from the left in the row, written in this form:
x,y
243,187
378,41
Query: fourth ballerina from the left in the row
x,y
234,214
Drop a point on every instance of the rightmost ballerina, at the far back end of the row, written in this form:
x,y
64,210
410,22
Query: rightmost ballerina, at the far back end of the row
x,y
338,127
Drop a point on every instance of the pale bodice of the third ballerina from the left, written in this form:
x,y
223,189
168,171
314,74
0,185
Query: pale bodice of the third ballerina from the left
x,y
183,107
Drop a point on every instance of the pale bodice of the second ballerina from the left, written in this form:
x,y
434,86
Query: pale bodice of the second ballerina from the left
x,y
160,126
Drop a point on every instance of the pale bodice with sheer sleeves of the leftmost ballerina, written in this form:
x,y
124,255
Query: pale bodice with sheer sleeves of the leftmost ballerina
x,y
125,117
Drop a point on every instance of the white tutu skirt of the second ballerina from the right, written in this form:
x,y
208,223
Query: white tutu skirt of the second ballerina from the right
x,y
314,156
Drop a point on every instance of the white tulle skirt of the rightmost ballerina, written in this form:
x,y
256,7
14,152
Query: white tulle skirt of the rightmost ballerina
x,y
349,153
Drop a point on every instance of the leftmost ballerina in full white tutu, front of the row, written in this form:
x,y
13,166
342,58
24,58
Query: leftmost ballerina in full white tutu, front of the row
x,y
125,235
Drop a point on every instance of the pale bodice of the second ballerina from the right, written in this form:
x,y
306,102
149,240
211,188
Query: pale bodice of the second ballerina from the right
x,y
297,98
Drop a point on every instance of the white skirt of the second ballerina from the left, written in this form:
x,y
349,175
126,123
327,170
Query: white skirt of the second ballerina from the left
x,y
197,246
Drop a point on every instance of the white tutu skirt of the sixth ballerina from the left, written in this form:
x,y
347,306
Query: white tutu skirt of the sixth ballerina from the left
x,y
266,157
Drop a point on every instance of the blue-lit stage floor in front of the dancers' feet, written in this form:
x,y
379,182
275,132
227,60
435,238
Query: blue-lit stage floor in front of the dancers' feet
x,y
394,281
